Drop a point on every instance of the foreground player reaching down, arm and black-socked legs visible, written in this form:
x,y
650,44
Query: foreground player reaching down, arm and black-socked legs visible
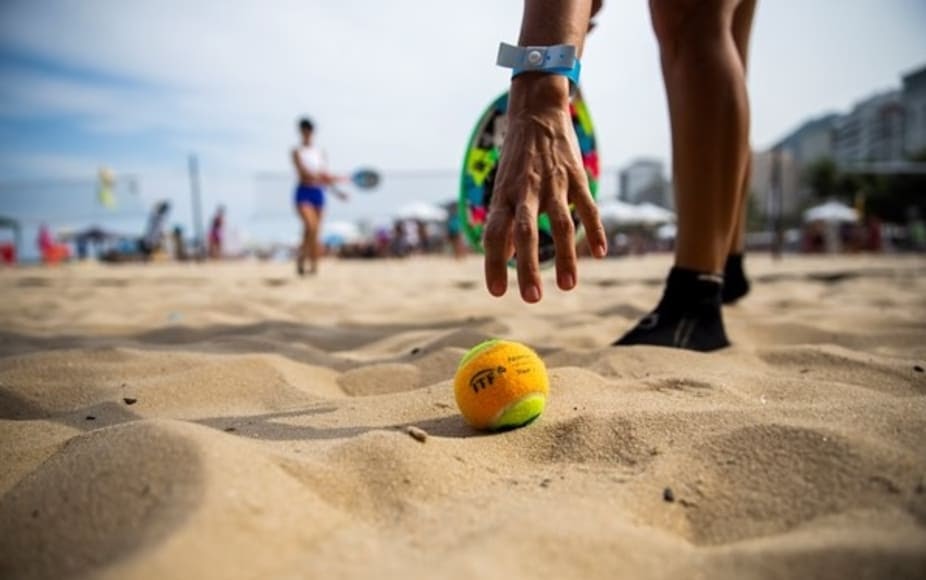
x,y
703,45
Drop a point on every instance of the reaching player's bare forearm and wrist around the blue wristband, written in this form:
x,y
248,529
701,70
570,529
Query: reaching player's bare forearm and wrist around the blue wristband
x,y
545,23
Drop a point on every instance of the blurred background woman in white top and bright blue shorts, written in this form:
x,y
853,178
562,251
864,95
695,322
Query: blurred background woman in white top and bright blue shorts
x,y
313,178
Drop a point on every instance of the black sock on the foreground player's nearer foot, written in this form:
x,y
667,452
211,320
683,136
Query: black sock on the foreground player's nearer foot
x,y
688,316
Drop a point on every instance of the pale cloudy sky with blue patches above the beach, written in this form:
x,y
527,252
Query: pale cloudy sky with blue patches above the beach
x,y
139,85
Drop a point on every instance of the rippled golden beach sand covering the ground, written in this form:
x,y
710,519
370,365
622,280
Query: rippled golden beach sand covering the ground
x,y
233,421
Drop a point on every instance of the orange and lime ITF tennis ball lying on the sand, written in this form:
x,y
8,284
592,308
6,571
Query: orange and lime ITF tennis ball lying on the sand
x,y
501,384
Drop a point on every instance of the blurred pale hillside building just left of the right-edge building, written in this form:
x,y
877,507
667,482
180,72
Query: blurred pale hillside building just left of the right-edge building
x,y
872,131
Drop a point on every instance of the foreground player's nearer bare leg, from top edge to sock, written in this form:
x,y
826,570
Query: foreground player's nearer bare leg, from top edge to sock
x,y
706,89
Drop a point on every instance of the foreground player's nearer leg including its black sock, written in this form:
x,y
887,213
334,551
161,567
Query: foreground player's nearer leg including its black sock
x,y
709,113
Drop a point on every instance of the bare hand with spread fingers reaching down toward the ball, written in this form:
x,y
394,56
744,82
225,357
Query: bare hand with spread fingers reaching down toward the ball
x,y
540,171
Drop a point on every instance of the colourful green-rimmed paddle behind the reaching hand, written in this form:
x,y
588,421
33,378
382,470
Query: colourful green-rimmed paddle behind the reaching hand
x,y
481,161
